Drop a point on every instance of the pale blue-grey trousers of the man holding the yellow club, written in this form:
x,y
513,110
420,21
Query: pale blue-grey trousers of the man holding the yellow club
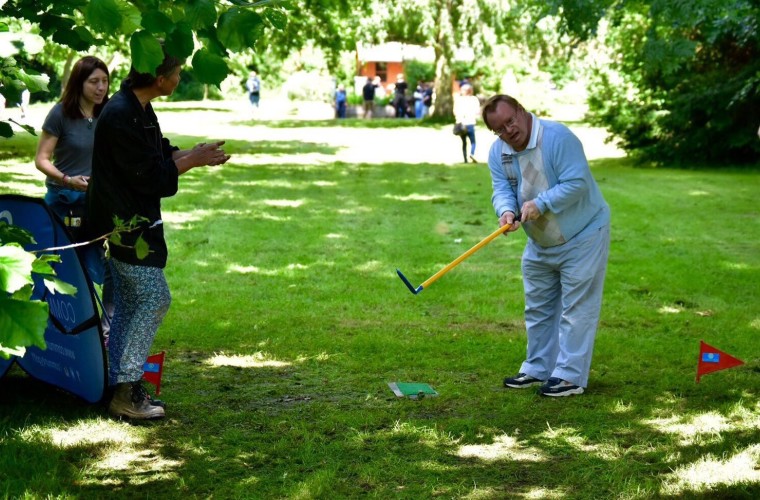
x,y
563,301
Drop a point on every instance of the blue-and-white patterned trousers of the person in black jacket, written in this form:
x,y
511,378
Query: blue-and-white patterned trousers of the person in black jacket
x,y
141,299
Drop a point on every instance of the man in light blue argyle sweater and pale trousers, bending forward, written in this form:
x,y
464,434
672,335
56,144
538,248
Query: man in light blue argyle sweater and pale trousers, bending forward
x,y
539,170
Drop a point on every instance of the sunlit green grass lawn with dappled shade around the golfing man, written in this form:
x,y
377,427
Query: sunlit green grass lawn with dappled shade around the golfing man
x,y
288,321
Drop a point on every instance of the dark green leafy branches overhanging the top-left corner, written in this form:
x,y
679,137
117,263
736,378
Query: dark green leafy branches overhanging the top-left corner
x,y
203,30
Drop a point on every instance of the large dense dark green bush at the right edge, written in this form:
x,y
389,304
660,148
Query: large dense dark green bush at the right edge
x,y
681,82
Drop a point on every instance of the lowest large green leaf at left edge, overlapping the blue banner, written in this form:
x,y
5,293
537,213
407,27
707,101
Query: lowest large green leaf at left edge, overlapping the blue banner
x,y
22,323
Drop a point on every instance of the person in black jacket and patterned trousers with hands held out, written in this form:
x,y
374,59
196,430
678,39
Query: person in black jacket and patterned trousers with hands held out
x,y
133,167
